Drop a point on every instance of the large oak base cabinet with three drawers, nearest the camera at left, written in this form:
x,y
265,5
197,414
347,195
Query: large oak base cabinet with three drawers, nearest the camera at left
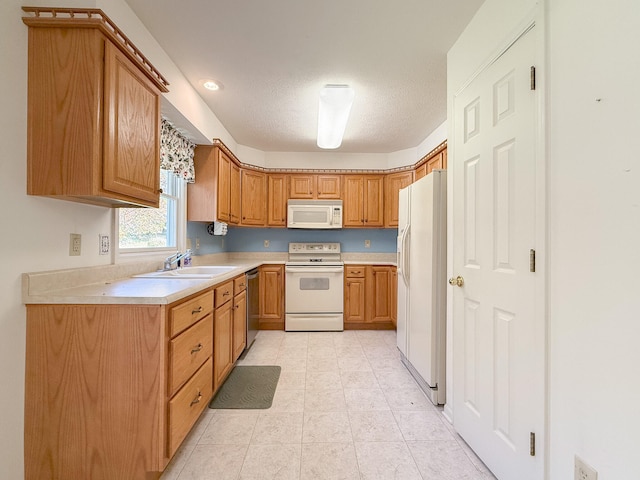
x,y
112,390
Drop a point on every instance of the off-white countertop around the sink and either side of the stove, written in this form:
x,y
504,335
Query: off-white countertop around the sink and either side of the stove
x,y
115,284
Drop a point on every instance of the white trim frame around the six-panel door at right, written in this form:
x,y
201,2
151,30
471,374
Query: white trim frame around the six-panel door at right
x,y
536,17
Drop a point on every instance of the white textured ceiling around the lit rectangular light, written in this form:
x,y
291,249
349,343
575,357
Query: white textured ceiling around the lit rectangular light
x,y
273,56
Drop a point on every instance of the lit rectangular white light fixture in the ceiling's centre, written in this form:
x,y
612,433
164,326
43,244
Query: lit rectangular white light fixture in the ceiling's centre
x,y
333,113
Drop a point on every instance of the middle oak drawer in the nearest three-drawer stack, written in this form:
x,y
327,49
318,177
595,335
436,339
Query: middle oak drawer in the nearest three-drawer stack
x,y
188,351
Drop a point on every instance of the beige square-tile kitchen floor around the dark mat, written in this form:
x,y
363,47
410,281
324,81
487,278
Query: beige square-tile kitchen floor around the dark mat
x,y
345,408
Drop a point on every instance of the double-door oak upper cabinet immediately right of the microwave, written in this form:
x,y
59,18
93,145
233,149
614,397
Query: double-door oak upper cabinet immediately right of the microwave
x,y
363,201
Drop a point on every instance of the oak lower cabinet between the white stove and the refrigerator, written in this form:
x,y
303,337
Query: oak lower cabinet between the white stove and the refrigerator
x,y
369,293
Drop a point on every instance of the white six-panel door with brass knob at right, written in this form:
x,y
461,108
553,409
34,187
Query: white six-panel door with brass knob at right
x,y
498,351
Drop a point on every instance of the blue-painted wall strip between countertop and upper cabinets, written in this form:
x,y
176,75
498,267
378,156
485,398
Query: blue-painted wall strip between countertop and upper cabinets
x,y
241,239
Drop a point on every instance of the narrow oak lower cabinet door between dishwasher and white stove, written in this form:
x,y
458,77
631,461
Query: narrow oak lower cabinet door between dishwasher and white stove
x,y
271,297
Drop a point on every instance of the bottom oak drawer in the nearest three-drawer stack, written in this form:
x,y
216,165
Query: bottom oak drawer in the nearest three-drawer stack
x,y
187,405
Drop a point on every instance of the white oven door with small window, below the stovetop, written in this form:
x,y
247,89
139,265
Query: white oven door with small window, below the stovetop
x,y
314,289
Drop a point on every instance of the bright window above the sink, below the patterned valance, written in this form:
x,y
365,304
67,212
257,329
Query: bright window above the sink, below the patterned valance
x,y
154,229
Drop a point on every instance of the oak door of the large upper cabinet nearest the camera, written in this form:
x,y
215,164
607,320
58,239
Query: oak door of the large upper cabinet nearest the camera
x,y
131,164
